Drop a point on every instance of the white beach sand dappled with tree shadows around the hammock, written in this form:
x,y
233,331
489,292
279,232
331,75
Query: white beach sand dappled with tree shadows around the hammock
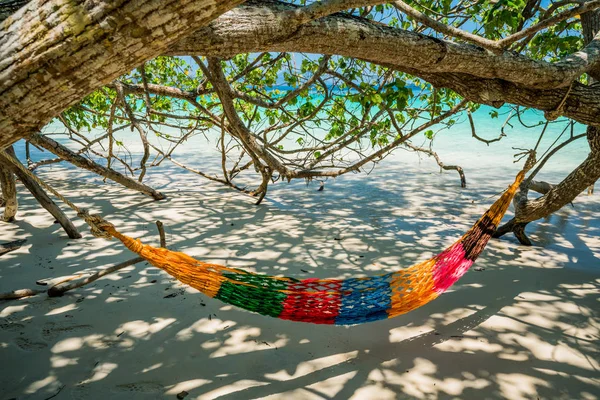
x,y
526,327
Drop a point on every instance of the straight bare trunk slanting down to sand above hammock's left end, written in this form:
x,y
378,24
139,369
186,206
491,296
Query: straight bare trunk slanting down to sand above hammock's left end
x,y
85,163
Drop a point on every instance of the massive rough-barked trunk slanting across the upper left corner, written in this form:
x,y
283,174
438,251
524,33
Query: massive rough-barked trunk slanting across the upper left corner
x,y
55,52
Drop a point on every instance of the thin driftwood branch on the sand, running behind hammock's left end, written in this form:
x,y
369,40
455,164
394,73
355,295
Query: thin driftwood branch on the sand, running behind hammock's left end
x,y
59,286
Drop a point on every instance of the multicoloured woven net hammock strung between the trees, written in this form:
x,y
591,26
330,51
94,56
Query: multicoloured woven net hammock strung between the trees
x,y
320,301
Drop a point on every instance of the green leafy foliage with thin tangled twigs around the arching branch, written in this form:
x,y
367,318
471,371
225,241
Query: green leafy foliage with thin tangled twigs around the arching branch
x,y
315,115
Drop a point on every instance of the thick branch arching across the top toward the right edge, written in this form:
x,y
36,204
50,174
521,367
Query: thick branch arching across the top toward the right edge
x,y
251,26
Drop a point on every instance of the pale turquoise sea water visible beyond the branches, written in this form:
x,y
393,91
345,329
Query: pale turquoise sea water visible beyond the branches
x,y
455,146
